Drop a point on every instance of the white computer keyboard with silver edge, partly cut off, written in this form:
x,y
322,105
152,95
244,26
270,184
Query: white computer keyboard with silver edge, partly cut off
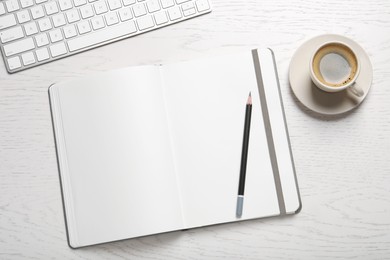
x,y
34,32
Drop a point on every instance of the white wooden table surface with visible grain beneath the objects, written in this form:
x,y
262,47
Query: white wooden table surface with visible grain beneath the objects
x,y
343,163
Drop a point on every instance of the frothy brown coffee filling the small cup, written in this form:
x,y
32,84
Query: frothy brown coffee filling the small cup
x,y
335,65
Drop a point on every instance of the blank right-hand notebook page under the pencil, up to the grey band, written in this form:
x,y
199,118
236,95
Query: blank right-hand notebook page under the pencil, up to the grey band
x,y
206,102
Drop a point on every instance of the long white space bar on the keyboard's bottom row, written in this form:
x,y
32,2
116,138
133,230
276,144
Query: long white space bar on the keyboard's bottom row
x,y
101,36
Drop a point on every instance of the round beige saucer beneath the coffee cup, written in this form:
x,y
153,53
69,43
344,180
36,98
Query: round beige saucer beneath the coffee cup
x,y
310,95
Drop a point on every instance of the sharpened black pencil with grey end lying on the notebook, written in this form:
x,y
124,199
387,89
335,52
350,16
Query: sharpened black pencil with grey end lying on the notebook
x,y
244,156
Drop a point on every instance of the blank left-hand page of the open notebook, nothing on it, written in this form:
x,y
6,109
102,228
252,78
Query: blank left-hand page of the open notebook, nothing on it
x,y
119,155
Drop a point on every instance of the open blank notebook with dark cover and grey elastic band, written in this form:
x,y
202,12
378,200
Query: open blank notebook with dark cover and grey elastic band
x,y
150,149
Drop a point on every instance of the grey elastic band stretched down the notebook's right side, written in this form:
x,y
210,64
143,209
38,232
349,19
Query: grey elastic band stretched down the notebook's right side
x,y
268,131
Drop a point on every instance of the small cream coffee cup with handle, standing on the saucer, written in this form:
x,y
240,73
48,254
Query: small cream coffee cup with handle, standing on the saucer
x,y
334,67
